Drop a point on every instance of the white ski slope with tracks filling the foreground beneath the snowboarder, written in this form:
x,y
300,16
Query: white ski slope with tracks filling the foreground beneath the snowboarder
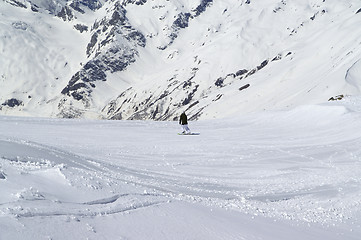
x,y
292,174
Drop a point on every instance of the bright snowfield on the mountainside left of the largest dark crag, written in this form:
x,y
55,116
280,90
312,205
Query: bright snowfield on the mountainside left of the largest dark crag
x,y
39,54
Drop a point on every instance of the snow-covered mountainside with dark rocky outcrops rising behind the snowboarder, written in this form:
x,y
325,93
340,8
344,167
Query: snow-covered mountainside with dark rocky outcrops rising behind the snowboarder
x,y
152,59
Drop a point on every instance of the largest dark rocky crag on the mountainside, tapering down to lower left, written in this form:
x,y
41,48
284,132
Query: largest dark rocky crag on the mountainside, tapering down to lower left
x,y
113,46
